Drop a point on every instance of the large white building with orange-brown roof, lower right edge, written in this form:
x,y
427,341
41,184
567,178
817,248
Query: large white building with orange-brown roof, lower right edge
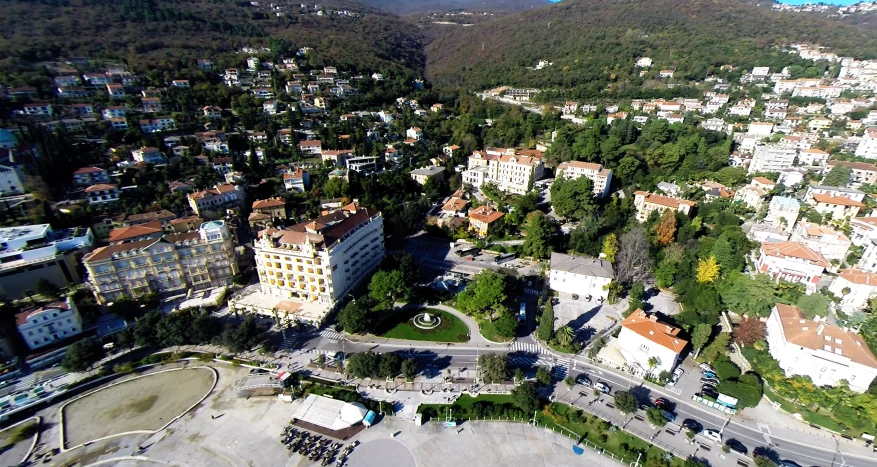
x,y
824,352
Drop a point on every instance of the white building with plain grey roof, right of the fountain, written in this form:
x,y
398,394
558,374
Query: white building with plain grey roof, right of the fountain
x,y
581,275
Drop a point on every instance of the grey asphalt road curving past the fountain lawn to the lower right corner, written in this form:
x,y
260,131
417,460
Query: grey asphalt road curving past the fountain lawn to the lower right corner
x,y
749,433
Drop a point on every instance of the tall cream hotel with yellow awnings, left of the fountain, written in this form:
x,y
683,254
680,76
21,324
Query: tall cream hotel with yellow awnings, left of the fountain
x,y
306,269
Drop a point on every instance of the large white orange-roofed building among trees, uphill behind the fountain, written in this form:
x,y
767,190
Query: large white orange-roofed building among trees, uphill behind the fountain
x,y
510,171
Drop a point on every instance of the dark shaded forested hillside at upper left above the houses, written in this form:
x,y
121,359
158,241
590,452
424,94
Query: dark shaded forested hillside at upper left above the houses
x,y
175,33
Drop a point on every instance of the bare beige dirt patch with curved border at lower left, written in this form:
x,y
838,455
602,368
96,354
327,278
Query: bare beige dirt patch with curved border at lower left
x,y
142,404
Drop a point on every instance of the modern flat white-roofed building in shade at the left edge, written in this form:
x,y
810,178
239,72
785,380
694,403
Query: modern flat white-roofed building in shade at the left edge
x,y
32,252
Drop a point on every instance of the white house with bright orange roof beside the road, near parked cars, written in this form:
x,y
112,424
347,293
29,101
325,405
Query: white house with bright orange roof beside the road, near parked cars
x,y
643,337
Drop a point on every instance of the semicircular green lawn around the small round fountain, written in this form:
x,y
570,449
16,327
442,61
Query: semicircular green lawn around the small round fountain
x,y
400,325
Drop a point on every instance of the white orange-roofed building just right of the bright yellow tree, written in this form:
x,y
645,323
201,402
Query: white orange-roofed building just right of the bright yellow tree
x,y
792,262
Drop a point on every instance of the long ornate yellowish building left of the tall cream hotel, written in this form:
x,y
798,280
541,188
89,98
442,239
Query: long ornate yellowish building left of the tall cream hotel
x,y
169,265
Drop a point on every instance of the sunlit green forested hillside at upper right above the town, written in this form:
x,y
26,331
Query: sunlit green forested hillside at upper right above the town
x,y
593,43
